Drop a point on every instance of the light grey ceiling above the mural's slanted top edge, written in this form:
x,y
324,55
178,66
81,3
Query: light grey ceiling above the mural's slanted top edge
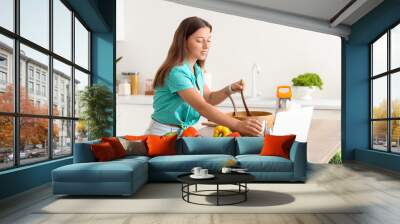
x,y
327,16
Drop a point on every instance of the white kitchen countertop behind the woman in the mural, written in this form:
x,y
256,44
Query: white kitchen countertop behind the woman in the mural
x,y
259,102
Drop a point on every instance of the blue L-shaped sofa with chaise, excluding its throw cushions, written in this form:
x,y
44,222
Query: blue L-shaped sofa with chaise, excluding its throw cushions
x,y
125,176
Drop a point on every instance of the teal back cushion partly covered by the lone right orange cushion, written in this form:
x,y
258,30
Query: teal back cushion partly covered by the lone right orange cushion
x,y
249,145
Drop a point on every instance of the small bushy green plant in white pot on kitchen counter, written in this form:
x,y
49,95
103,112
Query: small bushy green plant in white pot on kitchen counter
x,y
306,84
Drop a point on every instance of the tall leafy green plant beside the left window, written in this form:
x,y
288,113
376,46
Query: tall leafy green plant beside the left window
x,y
96,102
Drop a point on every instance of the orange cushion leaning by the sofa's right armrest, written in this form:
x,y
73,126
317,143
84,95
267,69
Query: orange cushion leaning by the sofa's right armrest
x,y
277,145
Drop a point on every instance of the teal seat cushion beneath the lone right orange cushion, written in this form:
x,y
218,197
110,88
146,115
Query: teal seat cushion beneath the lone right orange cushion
x,y
257,163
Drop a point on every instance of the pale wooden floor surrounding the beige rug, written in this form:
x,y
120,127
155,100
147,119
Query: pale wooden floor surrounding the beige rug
x,y
353,182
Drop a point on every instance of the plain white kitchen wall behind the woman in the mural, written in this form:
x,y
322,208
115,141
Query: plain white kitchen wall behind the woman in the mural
x,y
281,52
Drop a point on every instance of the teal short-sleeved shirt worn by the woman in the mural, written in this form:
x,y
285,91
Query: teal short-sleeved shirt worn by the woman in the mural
x,y
169,107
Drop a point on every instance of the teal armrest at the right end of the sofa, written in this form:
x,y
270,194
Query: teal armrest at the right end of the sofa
x,y
298,155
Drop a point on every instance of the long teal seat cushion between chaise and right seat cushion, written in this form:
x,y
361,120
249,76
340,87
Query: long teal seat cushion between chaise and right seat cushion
x,y
184,163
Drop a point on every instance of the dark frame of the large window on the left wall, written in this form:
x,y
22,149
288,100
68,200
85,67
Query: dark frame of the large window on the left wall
x,y
16,114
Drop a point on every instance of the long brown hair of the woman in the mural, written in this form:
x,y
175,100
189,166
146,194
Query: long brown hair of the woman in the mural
x,y
176,51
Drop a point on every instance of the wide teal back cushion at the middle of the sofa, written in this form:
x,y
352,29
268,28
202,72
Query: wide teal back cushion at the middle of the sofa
x,y
207,145
